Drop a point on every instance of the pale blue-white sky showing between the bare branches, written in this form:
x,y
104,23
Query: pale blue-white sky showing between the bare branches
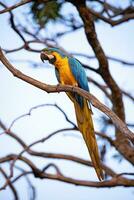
x,y
17,97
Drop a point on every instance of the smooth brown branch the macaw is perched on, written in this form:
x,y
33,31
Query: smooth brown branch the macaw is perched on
x,y
65,88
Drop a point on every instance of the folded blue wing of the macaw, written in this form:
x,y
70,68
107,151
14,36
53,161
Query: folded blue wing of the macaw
x,y
80,76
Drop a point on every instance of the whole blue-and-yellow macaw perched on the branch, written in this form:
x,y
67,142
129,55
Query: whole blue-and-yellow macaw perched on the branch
x,y
69,71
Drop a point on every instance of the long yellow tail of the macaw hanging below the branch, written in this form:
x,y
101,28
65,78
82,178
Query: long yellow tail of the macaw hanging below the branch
x,y
85,125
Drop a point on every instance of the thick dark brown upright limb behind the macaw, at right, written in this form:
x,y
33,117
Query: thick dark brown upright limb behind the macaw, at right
x,y
103,70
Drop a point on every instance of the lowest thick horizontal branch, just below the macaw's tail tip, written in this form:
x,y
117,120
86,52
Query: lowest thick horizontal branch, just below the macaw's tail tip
x,y
114,182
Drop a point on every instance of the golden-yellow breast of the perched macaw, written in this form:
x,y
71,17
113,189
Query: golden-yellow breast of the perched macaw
x,y
66,76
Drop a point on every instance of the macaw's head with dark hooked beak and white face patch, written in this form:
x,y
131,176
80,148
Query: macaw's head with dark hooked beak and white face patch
x,y
51,54
